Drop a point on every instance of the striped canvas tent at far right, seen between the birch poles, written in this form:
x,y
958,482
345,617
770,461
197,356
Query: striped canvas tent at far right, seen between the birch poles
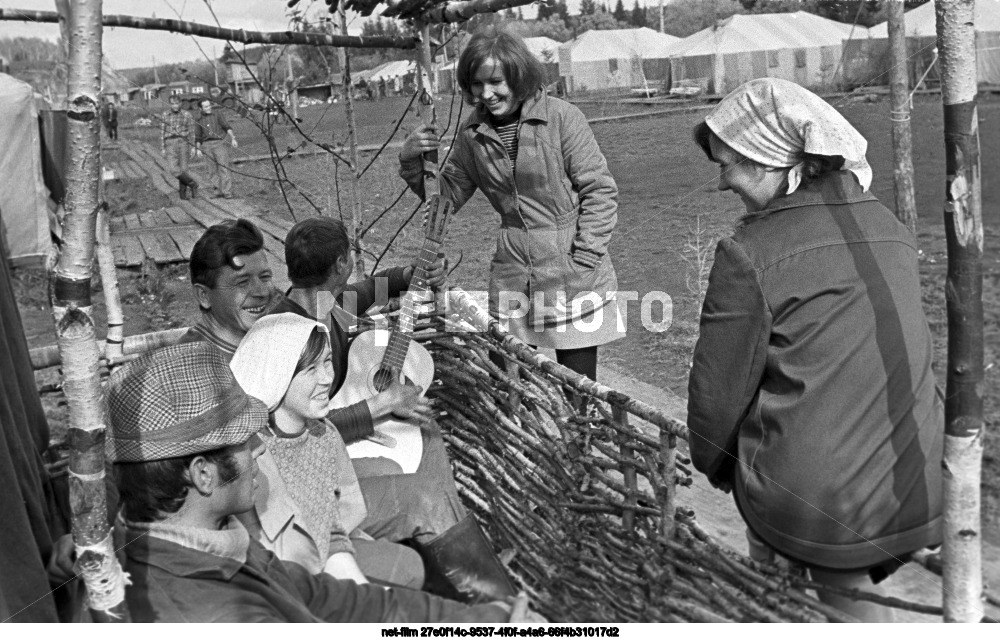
x,y
868,60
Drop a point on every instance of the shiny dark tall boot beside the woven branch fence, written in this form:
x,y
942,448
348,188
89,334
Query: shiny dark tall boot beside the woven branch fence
x,y
460,565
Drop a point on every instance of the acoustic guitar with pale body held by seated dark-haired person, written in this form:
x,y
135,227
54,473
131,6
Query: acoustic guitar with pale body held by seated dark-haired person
x,y
378,356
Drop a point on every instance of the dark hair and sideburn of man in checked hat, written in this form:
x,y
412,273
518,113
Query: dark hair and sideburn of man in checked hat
x,y
150,491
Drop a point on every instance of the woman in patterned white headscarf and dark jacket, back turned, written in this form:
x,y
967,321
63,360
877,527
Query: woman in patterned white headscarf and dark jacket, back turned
x,y
811,395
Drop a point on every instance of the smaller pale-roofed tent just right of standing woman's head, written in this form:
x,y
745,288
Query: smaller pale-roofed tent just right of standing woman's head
x,y
615,59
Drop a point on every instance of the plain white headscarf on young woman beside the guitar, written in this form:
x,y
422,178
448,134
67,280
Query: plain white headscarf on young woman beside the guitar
x,y
264,363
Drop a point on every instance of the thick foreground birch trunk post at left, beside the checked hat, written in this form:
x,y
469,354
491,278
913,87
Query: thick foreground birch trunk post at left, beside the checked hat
x,y
72,311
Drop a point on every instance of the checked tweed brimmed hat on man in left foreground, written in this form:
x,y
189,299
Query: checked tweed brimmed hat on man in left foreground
x,y
178,401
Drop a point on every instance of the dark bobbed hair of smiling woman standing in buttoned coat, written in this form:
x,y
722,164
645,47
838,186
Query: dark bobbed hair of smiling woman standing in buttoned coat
x,y
522,71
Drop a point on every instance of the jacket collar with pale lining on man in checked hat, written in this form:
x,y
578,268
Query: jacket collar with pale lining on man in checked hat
x,y
190,552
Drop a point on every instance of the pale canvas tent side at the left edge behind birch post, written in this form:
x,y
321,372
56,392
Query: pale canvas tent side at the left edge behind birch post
x,y
24,213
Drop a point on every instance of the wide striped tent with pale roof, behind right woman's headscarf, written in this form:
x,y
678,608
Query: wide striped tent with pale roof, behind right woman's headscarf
x,y
801,47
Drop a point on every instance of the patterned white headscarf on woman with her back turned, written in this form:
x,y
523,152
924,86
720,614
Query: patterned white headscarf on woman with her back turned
x,y
773,122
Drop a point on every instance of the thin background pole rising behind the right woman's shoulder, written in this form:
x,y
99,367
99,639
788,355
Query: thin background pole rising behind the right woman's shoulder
x,y
902,141
